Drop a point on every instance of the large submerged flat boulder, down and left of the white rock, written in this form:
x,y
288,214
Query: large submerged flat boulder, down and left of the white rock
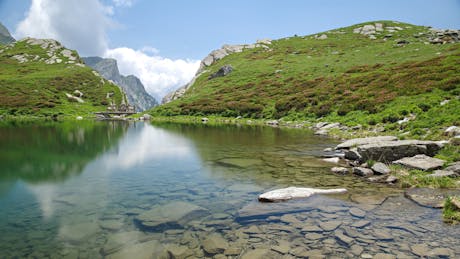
x,y
171,214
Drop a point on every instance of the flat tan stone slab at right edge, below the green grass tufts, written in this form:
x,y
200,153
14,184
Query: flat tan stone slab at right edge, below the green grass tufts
x,y
429,197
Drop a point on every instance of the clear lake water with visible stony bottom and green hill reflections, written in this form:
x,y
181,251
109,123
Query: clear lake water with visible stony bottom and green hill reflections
x,y
135,190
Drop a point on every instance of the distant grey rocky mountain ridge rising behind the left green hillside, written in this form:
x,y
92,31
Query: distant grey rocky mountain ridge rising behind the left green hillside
x,y
132,86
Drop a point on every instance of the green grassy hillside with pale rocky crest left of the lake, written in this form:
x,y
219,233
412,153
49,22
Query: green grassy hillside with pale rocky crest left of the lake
x,y
35,76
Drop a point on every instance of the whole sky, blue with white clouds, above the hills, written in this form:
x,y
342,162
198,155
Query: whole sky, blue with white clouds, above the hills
x,y
180,33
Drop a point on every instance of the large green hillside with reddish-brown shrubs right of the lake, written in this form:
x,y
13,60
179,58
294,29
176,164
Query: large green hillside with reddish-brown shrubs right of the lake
x,y
347,77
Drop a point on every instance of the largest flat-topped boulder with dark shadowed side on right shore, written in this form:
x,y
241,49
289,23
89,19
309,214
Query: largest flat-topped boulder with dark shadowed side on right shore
x,y
388,151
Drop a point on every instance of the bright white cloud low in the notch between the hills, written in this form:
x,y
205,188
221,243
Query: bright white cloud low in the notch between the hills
x,y
158,74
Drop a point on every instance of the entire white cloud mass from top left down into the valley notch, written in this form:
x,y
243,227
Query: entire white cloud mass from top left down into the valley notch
x,y
83,25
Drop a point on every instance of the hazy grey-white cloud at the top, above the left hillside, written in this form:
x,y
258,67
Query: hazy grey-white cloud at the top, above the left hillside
x,y
78,24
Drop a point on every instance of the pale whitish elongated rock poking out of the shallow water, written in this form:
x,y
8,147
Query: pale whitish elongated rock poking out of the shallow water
x,y
295,192
